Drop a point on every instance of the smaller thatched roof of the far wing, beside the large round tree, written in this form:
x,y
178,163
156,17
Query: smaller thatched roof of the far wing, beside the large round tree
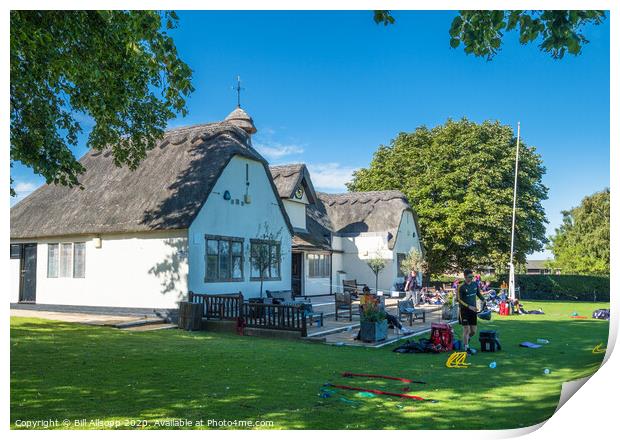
x,y
373,211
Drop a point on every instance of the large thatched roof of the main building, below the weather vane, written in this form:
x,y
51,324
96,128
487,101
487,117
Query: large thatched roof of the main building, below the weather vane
x,y
165,192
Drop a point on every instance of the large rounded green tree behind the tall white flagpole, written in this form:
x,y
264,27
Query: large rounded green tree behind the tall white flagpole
x,y
459,178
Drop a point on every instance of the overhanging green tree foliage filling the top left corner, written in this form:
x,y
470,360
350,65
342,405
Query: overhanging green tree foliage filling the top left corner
x,y
118,68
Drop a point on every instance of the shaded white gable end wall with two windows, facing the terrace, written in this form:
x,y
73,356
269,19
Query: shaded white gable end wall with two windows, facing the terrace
x,y
227,218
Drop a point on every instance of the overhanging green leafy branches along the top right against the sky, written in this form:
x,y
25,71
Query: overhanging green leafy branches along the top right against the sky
x,y
481,32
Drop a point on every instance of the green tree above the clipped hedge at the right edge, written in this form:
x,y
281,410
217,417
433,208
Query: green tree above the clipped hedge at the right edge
x,y
581,244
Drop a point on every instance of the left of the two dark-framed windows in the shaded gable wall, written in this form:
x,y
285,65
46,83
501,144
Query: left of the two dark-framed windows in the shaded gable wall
x,y
224,259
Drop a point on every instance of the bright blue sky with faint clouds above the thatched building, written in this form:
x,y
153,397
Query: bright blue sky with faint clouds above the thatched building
x,y
326,88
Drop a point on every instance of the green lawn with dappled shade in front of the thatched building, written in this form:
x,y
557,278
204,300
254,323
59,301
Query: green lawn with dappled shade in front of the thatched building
x,y
67,371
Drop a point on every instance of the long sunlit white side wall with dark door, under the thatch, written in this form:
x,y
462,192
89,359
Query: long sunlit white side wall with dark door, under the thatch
x,y
145,270
